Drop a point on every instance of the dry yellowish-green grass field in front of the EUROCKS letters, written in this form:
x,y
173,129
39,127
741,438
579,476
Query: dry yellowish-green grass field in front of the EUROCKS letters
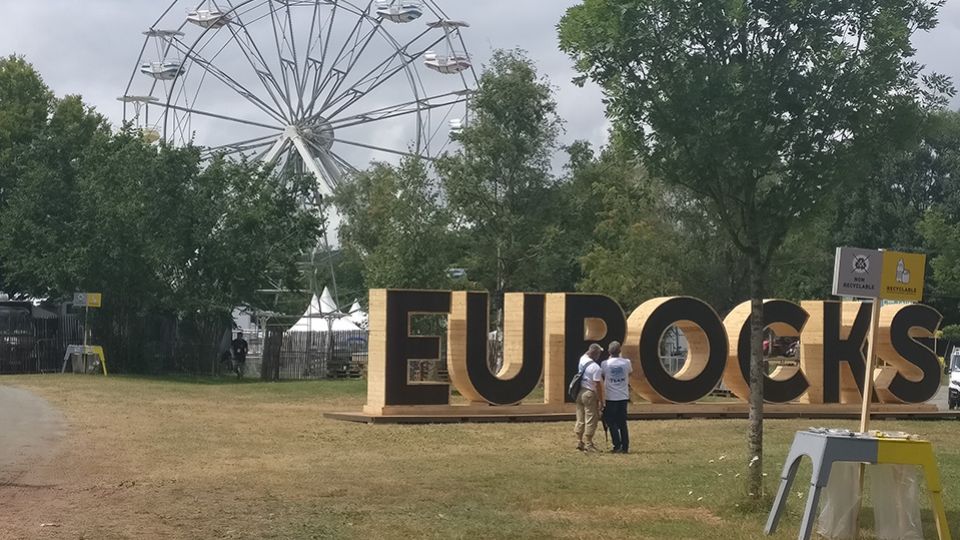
x,y
195,458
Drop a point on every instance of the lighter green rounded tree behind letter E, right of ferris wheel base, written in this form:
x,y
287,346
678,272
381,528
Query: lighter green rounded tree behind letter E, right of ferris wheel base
x,y
395,227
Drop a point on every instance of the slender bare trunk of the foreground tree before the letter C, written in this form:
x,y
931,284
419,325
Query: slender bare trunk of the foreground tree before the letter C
x,y
757,371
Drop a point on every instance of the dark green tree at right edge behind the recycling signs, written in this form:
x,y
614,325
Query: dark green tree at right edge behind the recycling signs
x,y
909,192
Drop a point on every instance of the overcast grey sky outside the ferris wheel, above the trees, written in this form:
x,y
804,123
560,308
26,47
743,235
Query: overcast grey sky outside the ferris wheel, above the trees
x,y
91,47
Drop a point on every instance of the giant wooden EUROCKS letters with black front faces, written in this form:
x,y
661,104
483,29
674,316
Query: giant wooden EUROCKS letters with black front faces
x,y
546,334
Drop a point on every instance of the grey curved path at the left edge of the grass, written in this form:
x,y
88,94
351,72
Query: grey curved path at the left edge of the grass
x,y
30,431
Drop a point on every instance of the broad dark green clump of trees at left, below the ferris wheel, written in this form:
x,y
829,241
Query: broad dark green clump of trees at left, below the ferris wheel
x,y
163,235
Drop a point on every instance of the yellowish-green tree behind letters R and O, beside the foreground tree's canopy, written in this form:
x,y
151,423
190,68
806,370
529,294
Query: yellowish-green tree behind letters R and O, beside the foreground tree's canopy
x,y
647,239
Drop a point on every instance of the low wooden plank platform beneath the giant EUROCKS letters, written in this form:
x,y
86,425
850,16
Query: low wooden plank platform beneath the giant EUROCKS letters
x,y
524,413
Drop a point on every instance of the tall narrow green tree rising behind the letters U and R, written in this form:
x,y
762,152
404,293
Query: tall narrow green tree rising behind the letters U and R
x,y
498,183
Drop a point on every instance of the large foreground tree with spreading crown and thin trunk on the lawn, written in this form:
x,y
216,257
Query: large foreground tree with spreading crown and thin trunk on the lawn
x,y
757,108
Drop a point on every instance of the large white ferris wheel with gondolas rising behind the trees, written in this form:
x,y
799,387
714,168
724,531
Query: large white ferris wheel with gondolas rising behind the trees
x,y
324,86
